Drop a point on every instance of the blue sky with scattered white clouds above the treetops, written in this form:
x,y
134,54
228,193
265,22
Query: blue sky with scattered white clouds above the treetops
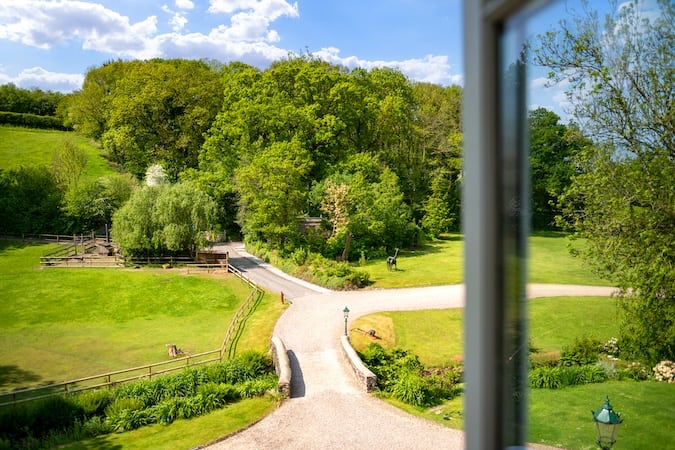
x,y
50,44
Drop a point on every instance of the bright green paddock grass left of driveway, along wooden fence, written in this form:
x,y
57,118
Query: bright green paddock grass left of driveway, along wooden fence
x,y
62,324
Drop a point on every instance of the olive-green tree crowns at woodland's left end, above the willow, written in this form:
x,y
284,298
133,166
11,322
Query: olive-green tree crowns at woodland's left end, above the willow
x,y
147,112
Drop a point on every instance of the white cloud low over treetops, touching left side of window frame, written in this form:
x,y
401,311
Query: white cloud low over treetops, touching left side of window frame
x,y
431,69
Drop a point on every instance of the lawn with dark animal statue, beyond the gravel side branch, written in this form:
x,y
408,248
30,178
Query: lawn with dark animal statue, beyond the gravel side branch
x,y
442,262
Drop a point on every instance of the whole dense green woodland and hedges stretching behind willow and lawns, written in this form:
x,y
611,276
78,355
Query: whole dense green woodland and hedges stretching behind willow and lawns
x,y
376,155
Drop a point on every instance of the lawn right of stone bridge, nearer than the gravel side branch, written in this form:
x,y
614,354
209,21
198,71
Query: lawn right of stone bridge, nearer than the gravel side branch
x,y
556,417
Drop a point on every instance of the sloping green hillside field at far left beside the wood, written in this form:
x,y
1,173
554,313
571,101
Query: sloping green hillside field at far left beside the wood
x,y
34,147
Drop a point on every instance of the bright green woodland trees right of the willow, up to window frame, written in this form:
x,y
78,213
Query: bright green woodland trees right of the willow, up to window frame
x,y
332,119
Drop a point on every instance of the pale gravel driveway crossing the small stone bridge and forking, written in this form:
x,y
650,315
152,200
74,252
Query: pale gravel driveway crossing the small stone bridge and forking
x,y
327,409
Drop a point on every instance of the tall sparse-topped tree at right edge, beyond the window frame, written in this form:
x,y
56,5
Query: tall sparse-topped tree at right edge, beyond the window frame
x,y
621,86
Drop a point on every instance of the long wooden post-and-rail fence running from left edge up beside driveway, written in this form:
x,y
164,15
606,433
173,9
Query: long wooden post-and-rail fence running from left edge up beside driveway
x,y
109,379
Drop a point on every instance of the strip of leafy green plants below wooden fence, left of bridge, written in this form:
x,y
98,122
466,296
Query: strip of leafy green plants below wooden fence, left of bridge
x,y
160,400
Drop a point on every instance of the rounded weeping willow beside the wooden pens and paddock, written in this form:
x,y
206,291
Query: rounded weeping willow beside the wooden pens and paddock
x,y
164,218
